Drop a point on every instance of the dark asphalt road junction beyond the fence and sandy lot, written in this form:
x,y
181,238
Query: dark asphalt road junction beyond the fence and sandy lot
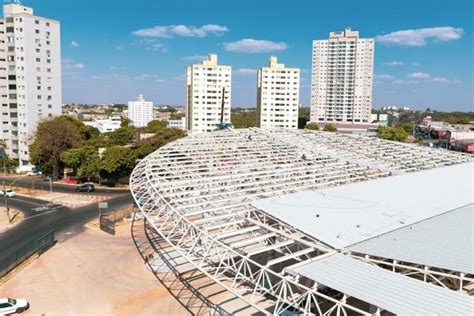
x,y
65,221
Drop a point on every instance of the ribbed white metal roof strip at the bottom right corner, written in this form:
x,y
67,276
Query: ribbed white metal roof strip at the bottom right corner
x,y
391,291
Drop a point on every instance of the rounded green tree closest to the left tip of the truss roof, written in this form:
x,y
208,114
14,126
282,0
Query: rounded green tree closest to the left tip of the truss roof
x,y
117,162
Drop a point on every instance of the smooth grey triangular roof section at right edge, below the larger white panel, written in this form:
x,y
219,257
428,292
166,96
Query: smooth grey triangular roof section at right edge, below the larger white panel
x,y
445,241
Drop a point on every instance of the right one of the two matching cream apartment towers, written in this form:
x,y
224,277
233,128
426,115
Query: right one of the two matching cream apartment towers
x,y
277,95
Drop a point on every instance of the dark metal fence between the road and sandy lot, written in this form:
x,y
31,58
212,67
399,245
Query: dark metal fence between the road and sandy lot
x,y
37,245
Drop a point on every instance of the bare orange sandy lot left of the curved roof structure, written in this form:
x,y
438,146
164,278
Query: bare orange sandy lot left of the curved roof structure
x,y
92,273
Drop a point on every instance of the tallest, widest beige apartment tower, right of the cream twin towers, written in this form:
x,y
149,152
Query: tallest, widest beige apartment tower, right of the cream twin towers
x,y
342,76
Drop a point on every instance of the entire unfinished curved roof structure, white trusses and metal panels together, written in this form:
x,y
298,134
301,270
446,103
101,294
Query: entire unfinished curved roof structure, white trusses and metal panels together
x,y
261,221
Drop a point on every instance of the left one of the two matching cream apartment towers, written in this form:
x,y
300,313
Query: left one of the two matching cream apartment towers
x,y
207,84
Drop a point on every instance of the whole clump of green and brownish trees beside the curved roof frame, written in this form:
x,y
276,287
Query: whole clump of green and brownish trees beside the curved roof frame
x,y
65,142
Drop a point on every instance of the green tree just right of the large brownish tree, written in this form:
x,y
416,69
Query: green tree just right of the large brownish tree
x,y
84,160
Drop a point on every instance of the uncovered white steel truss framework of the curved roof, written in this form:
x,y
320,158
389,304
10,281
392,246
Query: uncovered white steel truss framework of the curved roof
x,y
195,193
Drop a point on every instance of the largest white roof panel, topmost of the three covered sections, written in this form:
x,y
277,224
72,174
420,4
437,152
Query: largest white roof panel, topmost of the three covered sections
x,y
345,215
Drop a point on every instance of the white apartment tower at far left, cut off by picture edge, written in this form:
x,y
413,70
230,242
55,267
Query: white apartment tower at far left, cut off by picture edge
x,y
30,77
